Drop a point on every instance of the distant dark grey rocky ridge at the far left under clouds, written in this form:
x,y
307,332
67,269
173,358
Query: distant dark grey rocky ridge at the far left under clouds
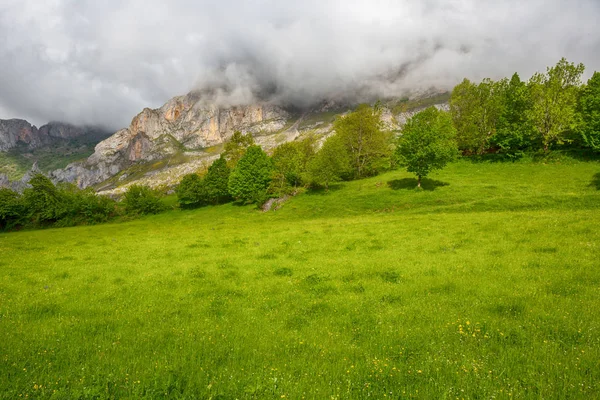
x,y
17,131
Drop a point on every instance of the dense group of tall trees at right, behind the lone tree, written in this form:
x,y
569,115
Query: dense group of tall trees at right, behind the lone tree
x,y
511,117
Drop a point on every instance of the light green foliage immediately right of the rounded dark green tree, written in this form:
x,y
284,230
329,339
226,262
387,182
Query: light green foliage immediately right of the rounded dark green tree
x,y
290,161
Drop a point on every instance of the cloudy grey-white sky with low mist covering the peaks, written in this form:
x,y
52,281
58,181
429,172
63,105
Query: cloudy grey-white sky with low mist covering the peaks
x,y
101,62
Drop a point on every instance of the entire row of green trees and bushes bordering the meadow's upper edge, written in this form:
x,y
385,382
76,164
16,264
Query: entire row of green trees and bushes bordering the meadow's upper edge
x,y
508,117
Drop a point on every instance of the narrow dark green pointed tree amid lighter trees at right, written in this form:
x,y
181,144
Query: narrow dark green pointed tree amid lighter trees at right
x,y
514,131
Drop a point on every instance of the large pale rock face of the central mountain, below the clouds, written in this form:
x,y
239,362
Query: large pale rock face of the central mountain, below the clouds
x,y
183,123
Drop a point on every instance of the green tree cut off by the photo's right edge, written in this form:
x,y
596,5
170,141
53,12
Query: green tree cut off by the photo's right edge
x,y
589,112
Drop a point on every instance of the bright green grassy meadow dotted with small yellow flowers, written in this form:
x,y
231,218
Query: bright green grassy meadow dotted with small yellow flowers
x,y
484,285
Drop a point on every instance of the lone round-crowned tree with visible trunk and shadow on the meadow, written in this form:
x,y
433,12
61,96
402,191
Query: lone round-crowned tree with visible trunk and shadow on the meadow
x,y
428,142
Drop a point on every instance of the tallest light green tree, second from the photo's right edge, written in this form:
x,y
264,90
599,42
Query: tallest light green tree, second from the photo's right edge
x,y
554,100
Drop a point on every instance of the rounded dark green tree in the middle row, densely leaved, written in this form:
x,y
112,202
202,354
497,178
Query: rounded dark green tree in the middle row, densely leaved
x,y
251,177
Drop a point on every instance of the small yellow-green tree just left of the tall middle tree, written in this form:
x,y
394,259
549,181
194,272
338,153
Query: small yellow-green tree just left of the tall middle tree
x,y
330,163
